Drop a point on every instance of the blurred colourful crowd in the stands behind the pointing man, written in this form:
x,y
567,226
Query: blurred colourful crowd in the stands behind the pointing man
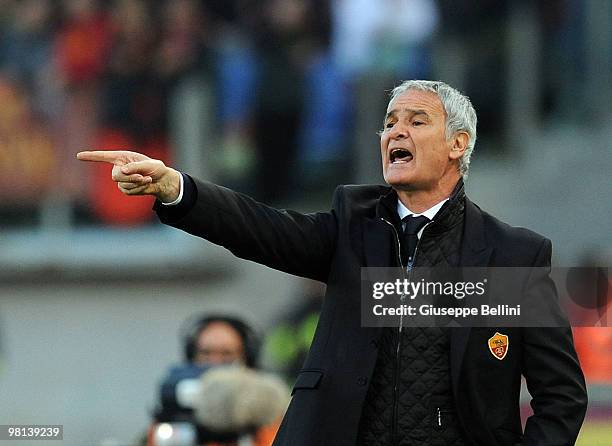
x,y
292,88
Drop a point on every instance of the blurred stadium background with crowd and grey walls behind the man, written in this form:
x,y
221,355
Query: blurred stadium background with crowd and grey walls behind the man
x,y
281,99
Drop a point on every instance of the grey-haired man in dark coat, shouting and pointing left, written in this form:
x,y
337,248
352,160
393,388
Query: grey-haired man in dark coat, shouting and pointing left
x,y
394,386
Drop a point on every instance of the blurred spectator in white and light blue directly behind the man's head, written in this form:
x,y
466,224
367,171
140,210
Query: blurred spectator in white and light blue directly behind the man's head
x,y
375,44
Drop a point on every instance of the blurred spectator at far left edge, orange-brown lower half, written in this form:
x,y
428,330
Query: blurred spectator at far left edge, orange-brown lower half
x,y
26,146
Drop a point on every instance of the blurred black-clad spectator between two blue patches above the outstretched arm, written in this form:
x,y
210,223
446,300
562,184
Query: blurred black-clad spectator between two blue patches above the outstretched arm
x,y
292,34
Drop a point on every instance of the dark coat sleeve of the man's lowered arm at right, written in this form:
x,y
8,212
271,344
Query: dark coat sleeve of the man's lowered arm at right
x,y
551,369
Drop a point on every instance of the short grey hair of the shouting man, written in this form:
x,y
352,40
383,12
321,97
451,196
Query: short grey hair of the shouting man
x,y
460,113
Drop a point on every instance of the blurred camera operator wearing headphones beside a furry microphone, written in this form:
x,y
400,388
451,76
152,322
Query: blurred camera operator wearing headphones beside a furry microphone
x,y
216,397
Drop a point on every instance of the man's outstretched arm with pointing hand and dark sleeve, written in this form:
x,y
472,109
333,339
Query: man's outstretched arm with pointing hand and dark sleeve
x,y
300,244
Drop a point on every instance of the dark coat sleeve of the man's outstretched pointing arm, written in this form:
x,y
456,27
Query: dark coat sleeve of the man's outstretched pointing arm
x,y
296,243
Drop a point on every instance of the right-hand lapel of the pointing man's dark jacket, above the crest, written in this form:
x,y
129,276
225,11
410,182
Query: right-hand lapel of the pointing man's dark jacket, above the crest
x,y
474,253
